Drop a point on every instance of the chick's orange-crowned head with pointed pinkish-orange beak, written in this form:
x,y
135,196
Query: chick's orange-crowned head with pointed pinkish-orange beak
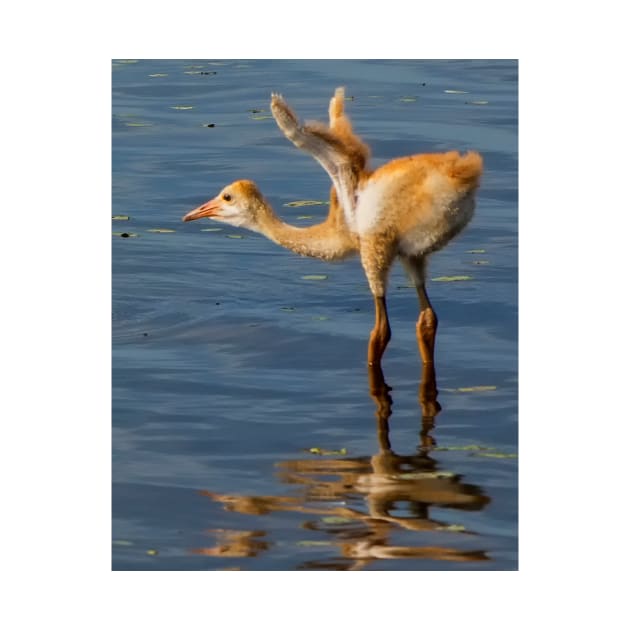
x,y
238,204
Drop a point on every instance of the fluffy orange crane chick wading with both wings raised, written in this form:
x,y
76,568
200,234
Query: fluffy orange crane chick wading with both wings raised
x,y
407,208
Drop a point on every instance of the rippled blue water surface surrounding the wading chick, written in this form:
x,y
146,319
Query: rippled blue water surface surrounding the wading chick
x,y
245,431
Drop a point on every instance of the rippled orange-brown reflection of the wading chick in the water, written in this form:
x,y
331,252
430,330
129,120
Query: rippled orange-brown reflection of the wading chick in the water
x,y
398,493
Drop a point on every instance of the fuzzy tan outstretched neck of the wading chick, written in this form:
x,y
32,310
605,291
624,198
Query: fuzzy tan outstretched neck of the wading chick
x,y
330,240
